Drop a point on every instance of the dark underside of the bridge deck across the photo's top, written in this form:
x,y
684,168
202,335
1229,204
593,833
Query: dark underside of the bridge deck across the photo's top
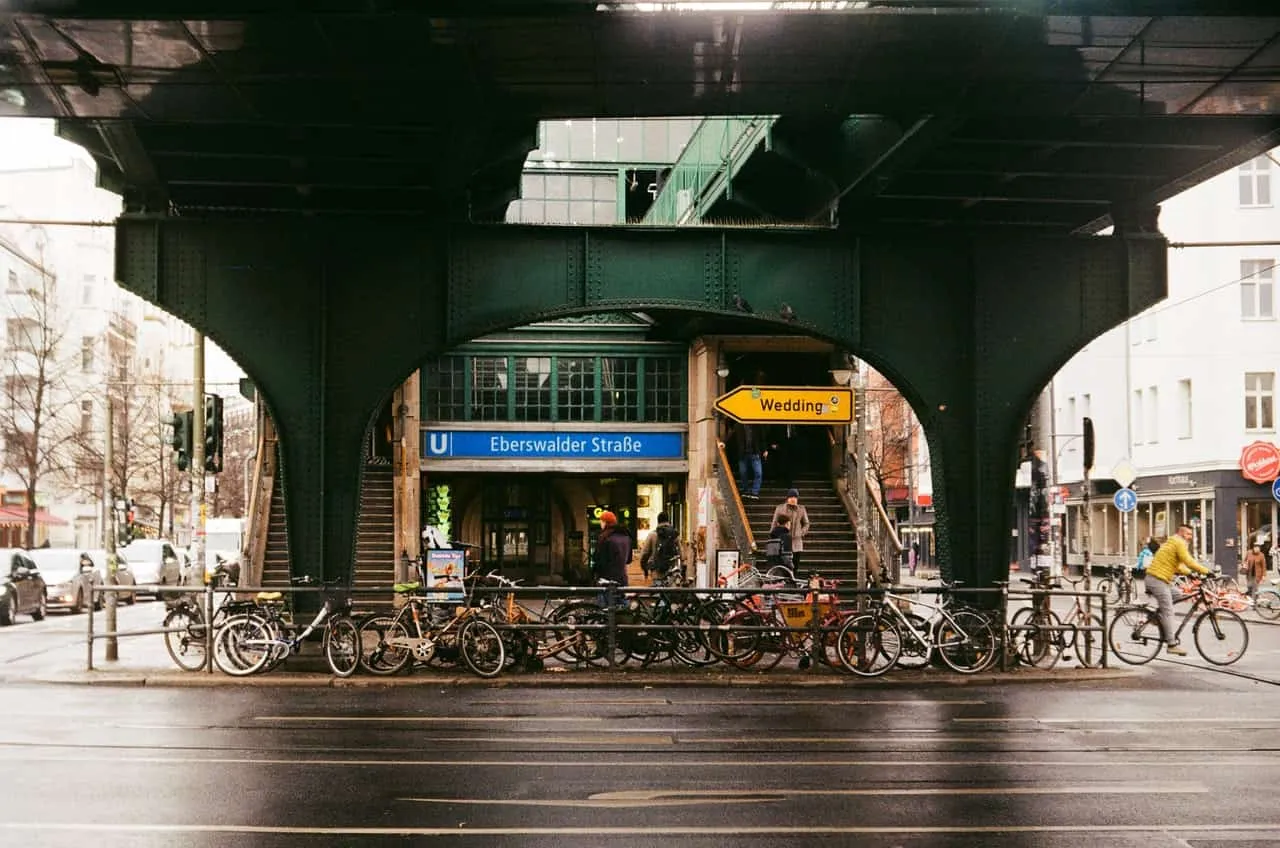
x,y
904,113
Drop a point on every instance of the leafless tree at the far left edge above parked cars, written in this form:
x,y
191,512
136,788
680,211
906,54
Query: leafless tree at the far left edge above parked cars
x,y
38,417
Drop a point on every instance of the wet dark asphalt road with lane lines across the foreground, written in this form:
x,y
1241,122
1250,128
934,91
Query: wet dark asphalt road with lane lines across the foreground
x,y
1185,759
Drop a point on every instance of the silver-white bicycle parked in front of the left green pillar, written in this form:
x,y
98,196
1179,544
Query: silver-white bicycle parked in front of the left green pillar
x,y
263,639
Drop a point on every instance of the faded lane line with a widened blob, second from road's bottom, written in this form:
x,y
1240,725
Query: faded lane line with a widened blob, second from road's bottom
x,y
683,797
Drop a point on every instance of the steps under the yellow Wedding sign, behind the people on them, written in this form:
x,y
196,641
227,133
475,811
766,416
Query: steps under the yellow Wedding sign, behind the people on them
x,y
830,546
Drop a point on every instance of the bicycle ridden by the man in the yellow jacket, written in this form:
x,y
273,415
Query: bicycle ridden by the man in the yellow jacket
x,y
1136,636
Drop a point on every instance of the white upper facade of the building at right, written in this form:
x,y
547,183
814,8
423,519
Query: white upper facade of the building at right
x,y
1196,335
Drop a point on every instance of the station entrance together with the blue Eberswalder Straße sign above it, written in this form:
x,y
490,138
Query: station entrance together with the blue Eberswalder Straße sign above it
x,y
527,503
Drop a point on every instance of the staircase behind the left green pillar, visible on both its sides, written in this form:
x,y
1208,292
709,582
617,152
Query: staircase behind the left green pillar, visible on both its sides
x,y
376,540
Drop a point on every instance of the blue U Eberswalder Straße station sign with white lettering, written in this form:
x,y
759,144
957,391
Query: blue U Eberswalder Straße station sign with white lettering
x,y
547,445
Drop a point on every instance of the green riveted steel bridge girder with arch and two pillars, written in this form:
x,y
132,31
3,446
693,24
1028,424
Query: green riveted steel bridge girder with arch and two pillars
x,y
328,318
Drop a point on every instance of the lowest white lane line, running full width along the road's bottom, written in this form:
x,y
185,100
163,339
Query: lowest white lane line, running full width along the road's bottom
x,y
652,831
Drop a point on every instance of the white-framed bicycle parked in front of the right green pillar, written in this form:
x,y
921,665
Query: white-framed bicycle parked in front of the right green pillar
x,y
871,644
